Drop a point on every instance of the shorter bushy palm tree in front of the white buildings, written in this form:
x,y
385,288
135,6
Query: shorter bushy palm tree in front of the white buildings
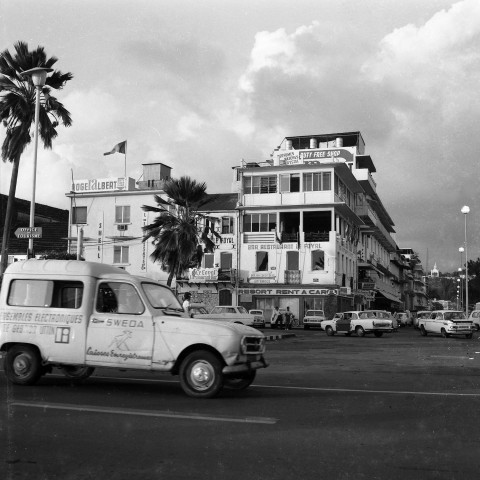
x,y
174,231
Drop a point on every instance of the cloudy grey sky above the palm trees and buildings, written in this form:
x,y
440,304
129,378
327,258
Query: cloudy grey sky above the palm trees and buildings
x,y
201,85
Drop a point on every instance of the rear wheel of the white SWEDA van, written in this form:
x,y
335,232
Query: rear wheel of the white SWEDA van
x,y
23,365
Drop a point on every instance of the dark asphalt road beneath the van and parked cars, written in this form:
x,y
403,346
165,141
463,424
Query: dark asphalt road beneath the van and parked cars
x,y
397,407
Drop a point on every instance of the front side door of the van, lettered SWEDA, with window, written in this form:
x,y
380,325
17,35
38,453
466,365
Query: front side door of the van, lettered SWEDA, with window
x,y
120,330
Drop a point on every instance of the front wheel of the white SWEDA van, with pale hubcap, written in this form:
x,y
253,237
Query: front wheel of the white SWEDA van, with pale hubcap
x,y
201,374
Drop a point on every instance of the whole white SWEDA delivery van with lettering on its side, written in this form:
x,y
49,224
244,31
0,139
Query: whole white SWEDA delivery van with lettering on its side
x,y
76,316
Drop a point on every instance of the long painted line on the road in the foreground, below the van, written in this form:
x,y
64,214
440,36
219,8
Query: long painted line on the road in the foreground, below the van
x,y
145,413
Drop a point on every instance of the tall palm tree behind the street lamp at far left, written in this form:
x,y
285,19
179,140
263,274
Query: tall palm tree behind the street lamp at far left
x,y
17,113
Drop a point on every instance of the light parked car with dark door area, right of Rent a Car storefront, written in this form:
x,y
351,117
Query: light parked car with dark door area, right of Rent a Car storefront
x,y
359,322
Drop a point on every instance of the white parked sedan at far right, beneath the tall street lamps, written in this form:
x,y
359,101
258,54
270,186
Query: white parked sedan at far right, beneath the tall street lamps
x,y
447,323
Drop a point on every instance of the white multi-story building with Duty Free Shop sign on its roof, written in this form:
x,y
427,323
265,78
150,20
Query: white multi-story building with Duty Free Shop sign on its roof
x,y
306,215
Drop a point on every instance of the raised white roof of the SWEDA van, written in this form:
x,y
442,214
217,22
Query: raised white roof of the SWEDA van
x,y
64,267
